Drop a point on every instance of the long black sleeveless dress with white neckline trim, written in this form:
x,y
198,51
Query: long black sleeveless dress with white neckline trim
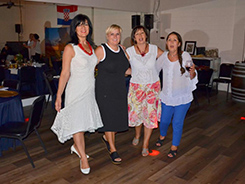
x,y
111,92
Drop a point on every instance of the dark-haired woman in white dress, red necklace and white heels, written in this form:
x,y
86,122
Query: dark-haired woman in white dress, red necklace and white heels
x,y
81,112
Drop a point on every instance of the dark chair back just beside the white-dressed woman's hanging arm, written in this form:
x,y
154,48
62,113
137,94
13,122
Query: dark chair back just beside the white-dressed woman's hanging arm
x,y
49,80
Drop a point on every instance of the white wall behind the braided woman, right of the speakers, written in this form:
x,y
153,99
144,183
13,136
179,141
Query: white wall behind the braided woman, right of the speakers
x,y
217,24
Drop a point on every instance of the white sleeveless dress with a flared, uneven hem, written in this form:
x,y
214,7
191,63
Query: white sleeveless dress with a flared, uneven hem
x,y
81,112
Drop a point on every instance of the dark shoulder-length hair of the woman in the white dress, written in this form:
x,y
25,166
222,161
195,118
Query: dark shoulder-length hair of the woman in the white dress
x,y
74,23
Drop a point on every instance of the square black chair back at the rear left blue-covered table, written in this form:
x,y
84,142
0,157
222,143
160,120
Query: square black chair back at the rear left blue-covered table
x,y
28,74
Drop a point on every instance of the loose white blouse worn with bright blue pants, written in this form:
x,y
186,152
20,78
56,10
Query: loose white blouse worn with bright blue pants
x,y
177,88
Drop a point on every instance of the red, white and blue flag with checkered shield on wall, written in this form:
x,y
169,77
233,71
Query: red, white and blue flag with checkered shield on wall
x,y
65,14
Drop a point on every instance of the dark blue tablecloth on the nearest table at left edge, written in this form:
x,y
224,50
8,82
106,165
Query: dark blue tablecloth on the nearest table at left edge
x,y
10,110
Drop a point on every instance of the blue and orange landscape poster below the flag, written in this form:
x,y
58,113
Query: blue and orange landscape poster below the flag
x,y
55,41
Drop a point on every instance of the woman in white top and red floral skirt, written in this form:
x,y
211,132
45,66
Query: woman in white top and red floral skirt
x,y
143,97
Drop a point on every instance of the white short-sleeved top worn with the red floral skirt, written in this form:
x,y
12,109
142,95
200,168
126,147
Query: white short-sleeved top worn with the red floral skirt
x,y
143,68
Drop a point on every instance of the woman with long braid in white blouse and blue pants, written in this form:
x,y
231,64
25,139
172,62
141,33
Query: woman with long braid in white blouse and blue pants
x,y
176,94
